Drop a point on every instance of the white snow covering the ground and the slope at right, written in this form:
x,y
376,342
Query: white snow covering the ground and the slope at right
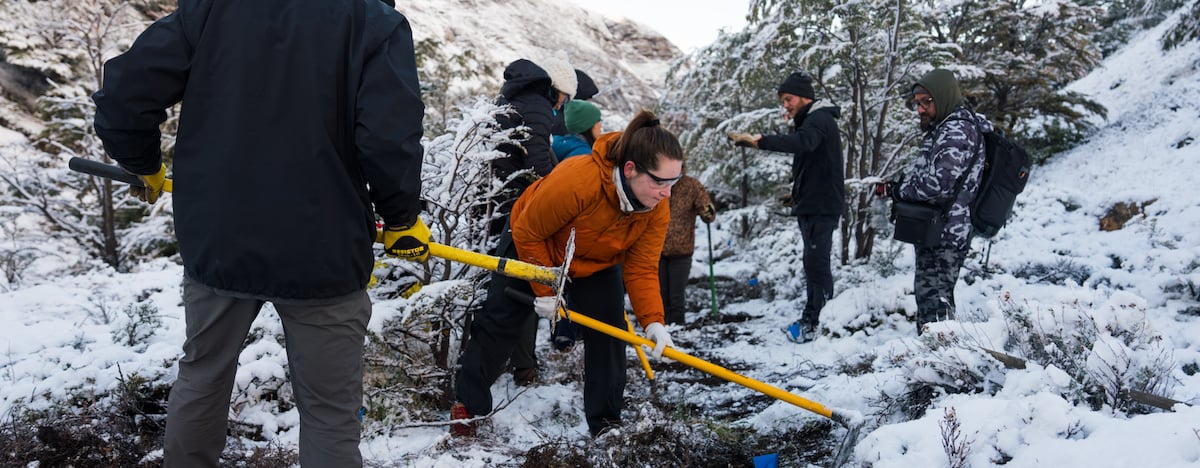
x,y
63,332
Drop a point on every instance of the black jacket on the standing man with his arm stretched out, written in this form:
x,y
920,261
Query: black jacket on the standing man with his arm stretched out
x,y
819,185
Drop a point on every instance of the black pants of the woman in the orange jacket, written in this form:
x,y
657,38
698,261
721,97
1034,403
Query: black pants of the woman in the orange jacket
x,y
497,327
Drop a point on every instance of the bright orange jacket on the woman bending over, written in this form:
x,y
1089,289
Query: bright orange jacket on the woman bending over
x,y
585,194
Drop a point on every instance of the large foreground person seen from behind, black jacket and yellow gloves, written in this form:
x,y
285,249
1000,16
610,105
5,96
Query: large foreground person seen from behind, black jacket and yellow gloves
x,y
293,110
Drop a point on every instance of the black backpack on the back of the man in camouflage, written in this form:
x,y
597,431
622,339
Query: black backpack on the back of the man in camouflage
x,y
1005,173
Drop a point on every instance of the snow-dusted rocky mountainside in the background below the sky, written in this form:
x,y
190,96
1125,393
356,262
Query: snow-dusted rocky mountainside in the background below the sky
x,y
628,61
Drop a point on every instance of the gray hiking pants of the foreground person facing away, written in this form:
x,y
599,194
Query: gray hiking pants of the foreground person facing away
x,y
325,346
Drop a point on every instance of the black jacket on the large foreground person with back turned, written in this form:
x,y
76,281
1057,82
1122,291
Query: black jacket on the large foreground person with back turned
x,y
292,110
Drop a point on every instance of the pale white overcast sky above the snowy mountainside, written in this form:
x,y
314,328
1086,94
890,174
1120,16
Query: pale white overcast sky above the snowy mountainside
x,y
688,23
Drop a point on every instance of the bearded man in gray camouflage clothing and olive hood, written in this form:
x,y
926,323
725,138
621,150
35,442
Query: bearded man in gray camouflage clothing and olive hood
x,y
952,148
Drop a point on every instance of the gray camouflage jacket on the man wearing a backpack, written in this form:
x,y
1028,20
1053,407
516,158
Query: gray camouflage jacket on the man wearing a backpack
x,y
947,151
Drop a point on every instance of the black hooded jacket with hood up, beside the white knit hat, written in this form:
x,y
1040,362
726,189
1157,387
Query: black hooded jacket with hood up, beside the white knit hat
x,y
529,89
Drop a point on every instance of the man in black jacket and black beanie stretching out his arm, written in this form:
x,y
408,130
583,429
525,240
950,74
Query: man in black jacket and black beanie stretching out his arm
x,y
818,188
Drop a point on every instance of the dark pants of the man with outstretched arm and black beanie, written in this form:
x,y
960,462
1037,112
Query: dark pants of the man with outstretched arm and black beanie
x,y
818,235
